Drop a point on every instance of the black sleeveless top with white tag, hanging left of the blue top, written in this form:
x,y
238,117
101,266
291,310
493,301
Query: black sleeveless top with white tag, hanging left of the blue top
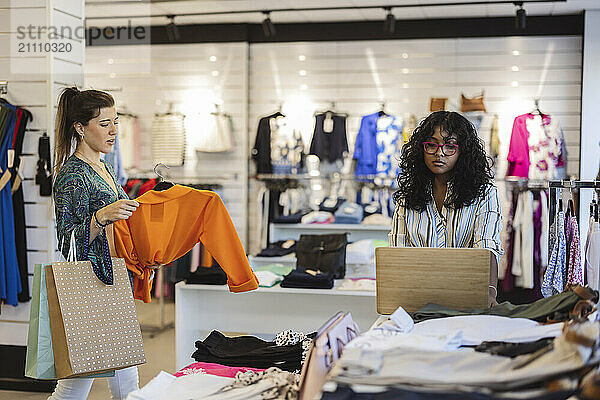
x,y
329,145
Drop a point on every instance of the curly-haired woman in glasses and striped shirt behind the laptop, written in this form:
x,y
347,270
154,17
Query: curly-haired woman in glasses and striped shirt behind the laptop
x,y
446,197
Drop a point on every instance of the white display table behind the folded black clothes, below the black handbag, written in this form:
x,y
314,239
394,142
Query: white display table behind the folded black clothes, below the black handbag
x,y
201,308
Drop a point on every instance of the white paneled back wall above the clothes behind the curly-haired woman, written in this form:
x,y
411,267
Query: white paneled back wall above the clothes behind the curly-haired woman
x,y
406,73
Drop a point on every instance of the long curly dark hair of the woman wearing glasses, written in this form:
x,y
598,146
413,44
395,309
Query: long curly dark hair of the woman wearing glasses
x,y
470,176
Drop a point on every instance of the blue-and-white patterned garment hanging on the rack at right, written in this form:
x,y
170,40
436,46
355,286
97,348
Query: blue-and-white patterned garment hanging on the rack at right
x,y
556,273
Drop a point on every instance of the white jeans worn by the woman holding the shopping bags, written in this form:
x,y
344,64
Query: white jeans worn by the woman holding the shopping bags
x,y
125,381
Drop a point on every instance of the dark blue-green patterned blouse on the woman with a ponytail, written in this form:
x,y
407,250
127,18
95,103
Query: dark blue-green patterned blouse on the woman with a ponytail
x,y
78,192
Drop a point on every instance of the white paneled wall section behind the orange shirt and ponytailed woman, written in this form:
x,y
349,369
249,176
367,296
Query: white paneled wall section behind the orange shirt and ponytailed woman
x,y
190,79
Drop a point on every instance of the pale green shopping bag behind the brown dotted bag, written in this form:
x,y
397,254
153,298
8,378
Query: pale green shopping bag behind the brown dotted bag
x,y
39,361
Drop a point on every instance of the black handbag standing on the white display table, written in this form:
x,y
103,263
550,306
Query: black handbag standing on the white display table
x,y
326,253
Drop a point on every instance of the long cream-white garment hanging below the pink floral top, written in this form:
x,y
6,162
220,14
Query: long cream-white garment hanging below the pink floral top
x,y
522,263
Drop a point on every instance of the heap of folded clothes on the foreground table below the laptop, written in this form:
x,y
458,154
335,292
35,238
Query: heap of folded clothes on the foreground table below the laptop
x,y
474,356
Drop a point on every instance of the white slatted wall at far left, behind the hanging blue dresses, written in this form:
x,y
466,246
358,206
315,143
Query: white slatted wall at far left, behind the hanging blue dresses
x,y
34,80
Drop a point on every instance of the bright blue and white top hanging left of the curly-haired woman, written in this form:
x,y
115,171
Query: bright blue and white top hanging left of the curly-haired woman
x,y
377,144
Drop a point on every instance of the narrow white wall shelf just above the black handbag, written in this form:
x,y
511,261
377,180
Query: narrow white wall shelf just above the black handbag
x,y
355,231
